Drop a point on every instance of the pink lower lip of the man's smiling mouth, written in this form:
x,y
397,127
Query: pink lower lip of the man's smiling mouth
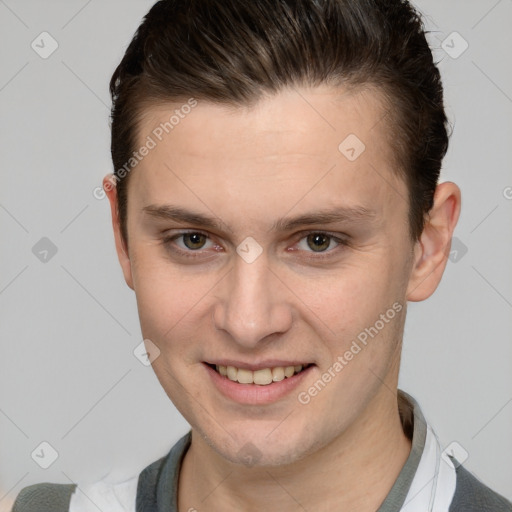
x,y
254,394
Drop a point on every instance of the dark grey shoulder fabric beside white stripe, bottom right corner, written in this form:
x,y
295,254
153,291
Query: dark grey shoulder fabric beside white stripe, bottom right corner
x,y
471,495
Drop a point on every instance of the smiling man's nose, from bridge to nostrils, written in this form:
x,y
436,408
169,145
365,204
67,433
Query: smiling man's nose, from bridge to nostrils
x,y
251,303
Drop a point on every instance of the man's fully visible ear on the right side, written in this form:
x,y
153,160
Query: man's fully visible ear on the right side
x,y
431,251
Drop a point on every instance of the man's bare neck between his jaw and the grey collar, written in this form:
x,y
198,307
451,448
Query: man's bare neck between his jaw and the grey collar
x,y
354,472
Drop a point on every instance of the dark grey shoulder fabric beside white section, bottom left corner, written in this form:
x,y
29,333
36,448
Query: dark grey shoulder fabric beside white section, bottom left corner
x,y
44,497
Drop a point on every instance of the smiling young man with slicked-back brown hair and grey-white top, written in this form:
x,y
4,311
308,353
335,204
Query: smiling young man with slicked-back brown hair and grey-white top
x,y
275,206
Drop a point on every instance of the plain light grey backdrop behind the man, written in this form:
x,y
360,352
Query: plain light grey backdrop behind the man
x,y
68,326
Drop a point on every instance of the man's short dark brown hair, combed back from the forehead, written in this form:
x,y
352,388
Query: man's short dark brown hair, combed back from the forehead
x,y
233,51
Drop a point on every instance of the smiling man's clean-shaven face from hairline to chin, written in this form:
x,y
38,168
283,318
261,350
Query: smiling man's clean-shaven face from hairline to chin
x,y
255,243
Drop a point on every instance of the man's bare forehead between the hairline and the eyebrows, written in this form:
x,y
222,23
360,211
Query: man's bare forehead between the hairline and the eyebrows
x,y
294,149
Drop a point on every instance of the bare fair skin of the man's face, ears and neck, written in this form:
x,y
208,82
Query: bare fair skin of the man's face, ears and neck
x,y
249,167
